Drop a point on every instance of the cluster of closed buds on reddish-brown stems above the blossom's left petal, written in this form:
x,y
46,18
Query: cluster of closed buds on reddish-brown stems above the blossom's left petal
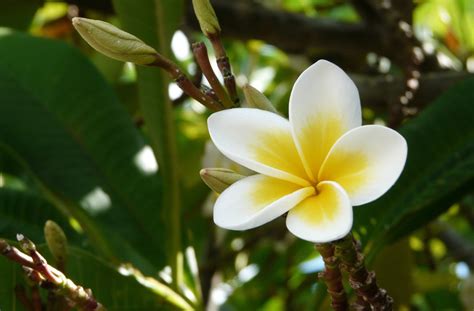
x,y
123,46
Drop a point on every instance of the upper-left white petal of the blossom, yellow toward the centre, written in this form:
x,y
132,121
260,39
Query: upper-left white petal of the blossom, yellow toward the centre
x,y
259,140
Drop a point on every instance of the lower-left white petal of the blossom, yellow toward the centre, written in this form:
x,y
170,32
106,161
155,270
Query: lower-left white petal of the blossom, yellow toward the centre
x,y
256,200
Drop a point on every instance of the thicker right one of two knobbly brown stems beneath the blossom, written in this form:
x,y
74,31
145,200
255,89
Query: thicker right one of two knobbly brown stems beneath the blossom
x,y
361,280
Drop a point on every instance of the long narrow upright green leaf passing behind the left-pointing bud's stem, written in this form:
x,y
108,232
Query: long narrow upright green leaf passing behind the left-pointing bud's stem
x,y
154,21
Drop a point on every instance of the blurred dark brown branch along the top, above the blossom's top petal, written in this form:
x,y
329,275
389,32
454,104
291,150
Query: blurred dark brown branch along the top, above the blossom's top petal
x,y
294,33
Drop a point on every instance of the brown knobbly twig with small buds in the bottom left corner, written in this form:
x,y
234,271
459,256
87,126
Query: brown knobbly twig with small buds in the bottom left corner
x,y
39,273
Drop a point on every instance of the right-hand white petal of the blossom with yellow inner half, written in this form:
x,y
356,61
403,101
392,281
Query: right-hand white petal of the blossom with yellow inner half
x,y
366,162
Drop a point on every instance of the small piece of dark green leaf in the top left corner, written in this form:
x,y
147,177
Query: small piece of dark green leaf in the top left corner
x,y
18,14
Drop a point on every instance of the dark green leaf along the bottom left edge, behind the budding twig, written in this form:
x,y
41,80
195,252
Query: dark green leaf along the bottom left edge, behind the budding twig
x,y
112,289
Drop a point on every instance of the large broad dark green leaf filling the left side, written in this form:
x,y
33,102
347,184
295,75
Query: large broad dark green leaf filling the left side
x,y
63,122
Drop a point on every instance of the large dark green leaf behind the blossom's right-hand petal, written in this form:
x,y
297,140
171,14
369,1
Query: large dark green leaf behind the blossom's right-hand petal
x,y
439,169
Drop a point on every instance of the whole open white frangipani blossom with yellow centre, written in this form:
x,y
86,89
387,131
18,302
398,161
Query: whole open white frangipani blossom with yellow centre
x,y
315,166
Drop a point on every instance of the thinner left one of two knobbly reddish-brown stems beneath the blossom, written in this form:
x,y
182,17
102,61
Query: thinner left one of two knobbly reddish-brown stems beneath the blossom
x,y
332,277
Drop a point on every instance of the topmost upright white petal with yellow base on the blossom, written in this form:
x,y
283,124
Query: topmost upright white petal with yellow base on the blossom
x,y
324,104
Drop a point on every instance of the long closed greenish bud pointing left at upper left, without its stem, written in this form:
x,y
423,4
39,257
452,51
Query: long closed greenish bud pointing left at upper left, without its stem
x,y
113,42
